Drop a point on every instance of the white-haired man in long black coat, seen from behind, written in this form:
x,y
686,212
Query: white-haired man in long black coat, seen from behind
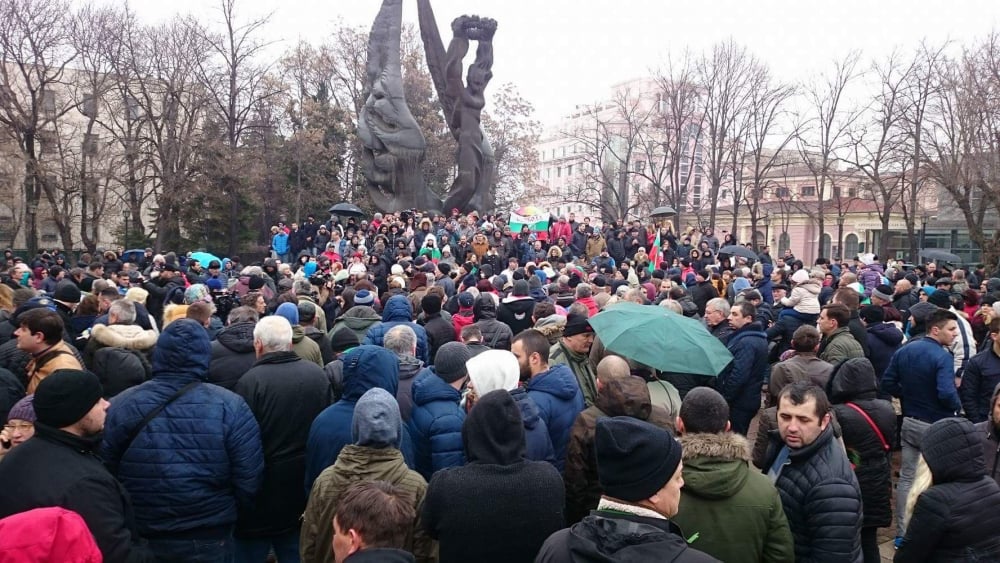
x,y
285,394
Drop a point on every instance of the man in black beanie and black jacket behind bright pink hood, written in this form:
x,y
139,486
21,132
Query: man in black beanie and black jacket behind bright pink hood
x,y
59,466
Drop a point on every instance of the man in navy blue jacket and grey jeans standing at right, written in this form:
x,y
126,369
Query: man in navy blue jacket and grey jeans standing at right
x,y
922,375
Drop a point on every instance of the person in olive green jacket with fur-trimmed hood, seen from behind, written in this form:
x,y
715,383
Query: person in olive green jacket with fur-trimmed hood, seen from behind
x,y
734,512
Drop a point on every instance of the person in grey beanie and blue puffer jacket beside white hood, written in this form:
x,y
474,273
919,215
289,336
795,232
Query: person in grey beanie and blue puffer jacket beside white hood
x,y
436,419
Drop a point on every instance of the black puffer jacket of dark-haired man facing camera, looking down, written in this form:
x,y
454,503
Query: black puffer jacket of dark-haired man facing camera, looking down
x,y
821,498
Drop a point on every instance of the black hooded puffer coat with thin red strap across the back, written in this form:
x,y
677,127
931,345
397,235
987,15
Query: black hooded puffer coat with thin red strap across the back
x,y
853,381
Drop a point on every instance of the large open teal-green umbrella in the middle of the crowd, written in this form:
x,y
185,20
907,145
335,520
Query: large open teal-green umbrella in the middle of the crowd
x,y
661,339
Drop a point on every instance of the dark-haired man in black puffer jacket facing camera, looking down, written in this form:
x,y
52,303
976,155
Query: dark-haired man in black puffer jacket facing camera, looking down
x,y
818,488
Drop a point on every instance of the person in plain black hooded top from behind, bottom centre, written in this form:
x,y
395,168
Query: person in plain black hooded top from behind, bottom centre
x,y
499,507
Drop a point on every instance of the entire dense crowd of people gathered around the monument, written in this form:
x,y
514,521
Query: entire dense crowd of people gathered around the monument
x,y
428,387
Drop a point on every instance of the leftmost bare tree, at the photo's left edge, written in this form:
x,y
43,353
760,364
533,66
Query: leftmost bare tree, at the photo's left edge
x,y
35,49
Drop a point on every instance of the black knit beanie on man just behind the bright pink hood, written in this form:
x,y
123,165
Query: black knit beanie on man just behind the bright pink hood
x,y
66,396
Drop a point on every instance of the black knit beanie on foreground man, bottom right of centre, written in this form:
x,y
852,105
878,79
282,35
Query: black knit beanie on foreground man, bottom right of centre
x,y
634,458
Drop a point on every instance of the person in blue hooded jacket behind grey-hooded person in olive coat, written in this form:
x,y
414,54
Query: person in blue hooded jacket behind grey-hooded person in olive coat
x,y
365,367
